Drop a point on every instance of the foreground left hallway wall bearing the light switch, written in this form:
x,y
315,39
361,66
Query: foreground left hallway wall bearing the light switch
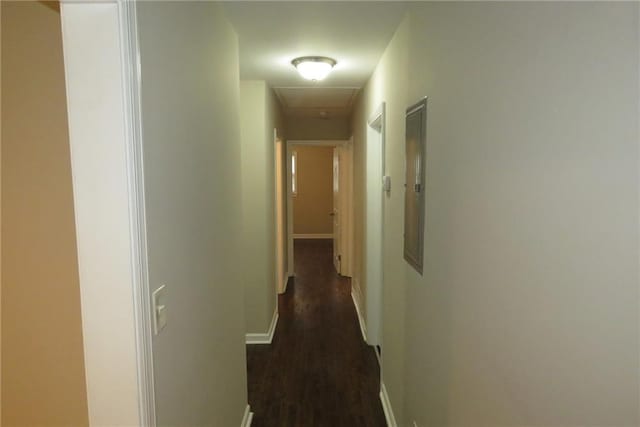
x,y
190,106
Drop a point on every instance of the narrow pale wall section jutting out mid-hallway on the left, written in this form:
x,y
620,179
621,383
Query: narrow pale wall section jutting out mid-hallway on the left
x,y
260,113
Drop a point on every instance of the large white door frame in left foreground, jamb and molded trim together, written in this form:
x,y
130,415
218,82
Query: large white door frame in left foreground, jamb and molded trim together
x,y
102,61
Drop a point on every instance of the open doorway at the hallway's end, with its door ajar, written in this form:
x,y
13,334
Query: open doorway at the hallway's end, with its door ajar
x,y
320,185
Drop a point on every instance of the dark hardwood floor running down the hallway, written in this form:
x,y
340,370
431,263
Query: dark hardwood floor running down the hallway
x,y
318,371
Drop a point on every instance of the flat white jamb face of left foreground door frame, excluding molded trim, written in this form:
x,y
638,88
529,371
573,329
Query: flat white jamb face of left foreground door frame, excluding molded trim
x,y
99,165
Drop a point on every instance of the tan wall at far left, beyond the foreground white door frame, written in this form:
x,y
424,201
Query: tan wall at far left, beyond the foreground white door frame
x,y
43,381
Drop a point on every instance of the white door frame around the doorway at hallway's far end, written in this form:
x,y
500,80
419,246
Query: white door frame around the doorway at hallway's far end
x,y
290,145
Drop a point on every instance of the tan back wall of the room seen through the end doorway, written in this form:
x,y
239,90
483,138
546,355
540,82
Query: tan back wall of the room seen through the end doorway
x,y
314,201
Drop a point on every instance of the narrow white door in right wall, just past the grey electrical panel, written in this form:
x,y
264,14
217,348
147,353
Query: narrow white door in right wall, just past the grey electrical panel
x,y
374,227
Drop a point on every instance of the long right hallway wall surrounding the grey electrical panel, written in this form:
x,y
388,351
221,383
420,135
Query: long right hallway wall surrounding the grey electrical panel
x,y
527,310
